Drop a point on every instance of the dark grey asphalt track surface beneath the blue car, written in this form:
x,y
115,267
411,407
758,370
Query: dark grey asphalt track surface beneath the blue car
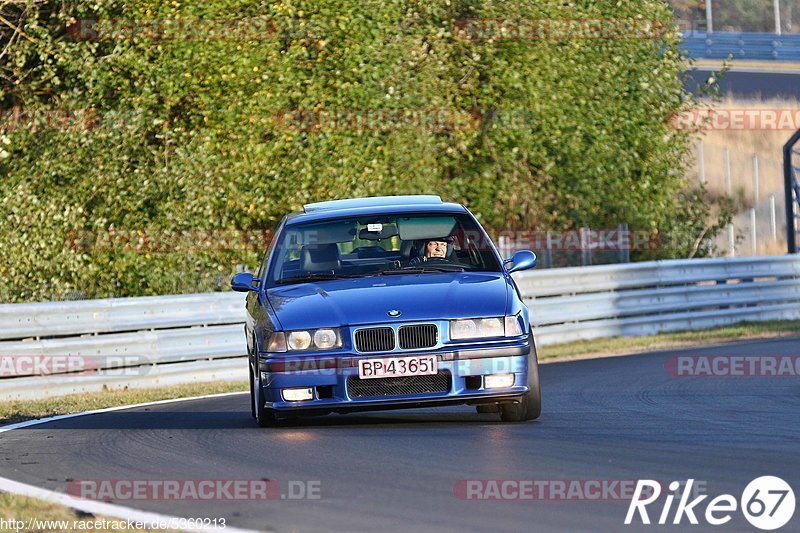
x,y
623,418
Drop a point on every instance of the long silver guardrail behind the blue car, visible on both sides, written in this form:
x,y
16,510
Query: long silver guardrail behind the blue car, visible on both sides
x,y
92,345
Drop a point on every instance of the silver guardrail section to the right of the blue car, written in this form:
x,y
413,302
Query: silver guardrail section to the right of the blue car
x,y
648,298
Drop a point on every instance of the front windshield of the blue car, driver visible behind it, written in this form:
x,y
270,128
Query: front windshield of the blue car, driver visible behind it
x,y
381,245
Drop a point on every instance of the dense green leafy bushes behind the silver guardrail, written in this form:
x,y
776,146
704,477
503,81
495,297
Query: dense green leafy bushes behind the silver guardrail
x,y
189,132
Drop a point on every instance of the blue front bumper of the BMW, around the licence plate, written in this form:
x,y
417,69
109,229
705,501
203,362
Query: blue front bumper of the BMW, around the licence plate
x,y
328,377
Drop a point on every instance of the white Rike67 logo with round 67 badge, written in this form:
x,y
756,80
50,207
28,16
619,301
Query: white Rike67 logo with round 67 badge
x,y
767,503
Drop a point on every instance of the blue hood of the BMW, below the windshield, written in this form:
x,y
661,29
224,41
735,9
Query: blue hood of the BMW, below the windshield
x,y
368,300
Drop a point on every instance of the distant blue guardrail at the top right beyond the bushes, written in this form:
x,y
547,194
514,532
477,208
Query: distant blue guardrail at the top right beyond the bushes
x,y
759,46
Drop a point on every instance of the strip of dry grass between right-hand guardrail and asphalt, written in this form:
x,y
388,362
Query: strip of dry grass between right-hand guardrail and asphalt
x,y
626,345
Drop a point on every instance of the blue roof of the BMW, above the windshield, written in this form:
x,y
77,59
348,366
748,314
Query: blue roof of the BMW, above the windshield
x,y
379,205
